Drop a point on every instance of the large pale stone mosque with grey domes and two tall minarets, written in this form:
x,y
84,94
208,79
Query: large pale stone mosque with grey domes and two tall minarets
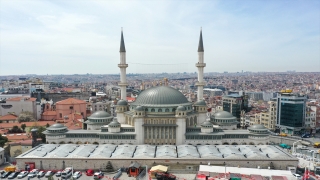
x,y
161,115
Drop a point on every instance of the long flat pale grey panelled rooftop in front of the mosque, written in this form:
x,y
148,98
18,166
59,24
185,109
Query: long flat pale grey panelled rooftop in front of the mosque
x,y
218,152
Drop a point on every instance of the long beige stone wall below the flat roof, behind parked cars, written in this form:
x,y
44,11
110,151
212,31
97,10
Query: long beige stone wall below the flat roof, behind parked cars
x,y
174,164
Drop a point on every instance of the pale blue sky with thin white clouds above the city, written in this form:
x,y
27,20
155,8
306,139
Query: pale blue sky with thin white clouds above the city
x,y
83,36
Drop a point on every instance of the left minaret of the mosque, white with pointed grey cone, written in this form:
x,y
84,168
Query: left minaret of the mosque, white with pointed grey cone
x,y
123,82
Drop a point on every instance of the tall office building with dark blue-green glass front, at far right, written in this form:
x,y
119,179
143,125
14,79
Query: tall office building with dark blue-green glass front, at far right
x,y
291,112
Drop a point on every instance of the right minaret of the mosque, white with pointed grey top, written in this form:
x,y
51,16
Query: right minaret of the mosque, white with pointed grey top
x,y
200,65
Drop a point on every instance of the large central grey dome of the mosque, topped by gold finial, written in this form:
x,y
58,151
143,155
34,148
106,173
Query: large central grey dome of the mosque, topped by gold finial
x,y
160,95
